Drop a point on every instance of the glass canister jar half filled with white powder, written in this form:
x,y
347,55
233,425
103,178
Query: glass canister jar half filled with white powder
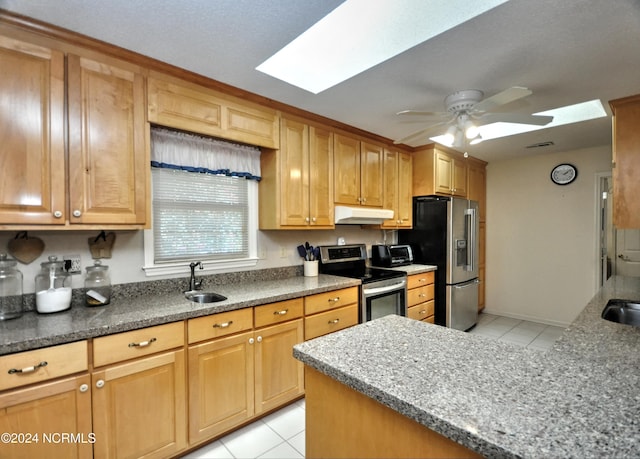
x,y
53,287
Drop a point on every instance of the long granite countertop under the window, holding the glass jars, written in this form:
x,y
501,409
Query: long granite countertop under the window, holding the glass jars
x,y
33,330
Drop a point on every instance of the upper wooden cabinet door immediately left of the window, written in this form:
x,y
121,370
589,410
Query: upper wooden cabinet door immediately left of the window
x,y
108,157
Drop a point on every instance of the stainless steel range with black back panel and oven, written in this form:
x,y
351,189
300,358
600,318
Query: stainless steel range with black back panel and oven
x,y
383,291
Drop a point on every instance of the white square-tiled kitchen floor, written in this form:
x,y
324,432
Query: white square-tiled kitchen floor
x,y
281,434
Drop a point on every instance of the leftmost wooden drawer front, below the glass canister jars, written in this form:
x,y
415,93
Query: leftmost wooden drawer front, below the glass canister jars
x,y
42,364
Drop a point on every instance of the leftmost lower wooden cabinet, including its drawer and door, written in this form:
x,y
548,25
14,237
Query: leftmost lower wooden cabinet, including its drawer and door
x,y
56,403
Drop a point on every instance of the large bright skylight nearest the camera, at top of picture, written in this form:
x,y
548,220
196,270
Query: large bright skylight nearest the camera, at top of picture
x,y
360,34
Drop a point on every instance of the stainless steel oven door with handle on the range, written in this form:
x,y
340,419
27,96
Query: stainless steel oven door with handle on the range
x,y
382,298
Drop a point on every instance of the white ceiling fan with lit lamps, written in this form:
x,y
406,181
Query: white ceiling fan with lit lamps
x,y
466,111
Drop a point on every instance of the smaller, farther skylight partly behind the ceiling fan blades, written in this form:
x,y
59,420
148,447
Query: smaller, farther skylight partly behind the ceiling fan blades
x,y
576,113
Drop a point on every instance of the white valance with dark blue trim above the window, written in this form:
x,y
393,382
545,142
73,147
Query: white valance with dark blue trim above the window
x,y
191,152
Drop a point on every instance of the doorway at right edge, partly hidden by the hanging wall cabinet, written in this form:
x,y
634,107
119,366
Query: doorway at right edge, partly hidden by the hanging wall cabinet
x,y
618,249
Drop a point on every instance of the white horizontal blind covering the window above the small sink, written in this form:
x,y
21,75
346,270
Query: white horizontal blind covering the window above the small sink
x,y
199,216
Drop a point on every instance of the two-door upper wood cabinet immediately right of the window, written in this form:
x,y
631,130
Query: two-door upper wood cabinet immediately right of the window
x,y
295,190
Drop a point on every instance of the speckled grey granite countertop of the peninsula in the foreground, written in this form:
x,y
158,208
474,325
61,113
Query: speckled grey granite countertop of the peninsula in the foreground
x,y
579,399
